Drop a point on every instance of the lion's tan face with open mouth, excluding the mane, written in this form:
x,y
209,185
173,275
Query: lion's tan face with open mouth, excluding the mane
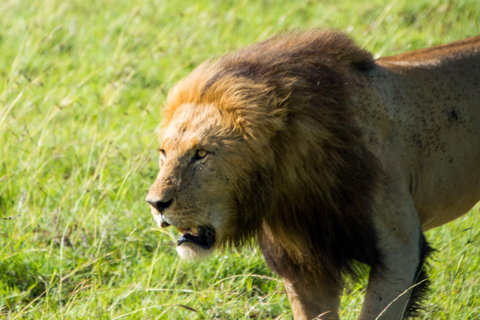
x,y
195,190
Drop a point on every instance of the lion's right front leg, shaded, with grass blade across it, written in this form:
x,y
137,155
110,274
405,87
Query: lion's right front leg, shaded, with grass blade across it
x,y
397,285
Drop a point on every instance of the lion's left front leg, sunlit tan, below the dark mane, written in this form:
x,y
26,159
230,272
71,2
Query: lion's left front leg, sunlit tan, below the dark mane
x,y
313,300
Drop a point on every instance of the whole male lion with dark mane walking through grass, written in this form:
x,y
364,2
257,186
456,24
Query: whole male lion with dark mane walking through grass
x,y
326,158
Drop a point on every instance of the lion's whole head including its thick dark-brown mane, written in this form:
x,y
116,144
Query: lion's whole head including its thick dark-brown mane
x,y
260,142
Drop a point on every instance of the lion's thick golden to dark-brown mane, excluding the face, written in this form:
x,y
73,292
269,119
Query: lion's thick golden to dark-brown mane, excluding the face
x,y
308,194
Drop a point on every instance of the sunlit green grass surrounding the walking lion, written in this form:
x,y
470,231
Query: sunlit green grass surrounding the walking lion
x,y
82,83
